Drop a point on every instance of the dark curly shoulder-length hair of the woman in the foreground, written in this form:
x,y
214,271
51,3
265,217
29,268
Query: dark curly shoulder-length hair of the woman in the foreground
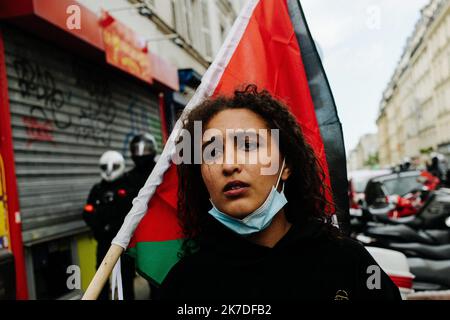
x,y
304,188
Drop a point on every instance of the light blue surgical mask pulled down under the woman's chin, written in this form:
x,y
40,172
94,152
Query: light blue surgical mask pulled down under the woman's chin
x,y
259,219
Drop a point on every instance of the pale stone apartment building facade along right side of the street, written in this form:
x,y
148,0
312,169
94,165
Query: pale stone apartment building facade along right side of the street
x,y
414,117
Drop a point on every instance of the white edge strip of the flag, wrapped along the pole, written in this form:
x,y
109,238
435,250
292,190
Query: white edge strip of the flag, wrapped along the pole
x,y
206,89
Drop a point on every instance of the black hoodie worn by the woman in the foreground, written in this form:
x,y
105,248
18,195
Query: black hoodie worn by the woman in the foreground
x,y
307,263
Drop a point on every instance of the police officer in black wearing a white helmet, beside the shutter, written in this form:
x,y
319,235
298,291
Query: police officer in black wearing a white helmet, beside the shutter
x,y
108,203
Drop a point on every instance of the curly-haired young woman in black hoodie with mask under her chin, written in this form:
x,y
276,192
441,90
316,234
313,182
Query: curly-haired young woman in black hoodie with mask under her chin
x,y
253,235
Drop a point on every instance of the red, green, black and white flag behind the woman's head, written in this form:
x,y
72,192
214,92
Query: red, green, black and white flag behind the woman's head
x,y
269,45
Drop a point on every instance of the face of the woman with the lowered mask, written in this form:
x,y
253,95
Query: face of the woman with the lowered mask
x,y
235,184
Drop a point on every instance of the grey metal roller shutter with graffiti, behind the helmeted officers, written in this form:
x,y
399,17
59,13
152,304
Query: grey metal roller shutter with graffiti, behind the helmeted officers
x,y
65,112
